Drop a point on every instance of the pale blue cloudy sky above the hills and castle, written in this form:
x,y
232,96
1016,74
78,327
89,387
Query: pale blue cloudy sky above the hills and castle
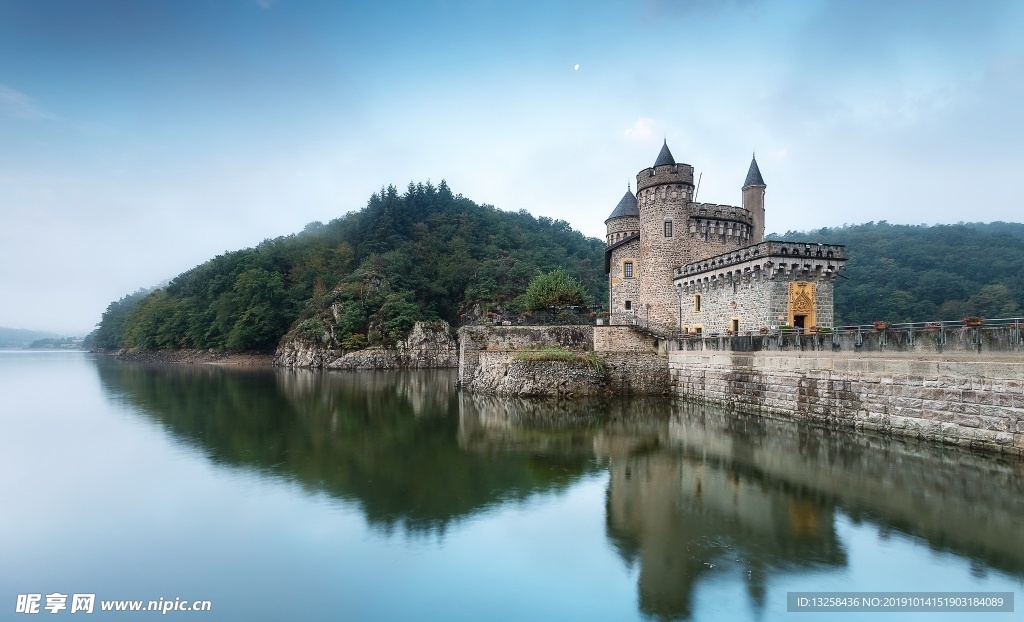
x,y
140,139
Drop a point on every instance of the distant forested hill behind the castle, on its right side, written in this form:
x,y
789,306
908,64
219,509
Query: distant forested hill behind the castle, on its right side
x,y
915,274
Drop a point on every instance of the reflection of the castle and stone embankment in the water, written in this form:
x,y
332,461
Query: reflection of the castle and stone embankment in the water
x,y
697,491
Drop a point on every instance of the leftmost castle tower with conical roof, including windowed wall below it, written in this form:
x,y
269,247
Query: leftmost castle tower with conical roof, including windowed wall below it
x,y
622,257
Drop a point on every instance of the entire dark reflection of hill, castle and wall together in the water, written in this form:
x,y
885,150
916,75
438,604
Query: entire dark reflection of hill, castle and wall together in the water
x,y
694,493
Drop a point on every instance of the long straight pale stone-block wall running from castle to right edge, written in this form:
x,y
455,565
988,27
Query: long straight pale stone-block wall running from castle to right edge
x,y
957,398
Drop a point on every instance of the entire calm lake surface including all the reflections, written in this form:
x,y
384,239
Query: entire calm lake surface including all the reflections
x,y
282,495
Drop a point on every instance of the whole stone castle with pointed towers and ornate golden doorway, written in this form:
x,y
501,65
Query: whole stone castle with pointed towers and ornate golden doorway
x,y
679,267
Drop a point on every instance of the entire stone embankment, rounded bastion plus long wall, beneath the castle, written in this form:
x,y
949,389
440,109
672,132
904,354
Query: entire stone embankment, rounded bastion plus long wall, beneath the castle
x,y
963,386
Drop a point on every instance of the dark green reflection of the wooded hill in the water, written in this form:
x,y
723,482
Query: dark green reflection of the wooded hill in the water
x,y
387,441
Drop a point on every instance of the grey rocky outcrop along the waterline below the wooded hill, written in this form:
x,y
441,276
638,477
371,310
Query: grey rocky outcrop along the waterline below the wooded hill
x,y
430,346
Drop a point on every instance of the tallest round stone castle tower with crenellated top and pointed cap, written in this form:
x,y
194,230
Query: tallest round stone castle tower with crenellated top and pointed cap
x,y
664,192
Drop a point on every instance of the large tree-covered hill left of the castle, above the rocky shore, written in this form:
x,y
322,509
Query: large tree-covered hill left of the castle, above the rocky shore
x,y
425,255
